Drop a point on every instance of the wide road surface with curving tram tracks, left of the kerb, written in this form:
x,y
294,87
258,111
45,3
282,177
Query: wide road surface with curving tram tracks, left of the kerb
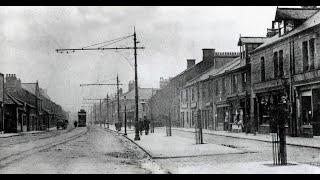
x,y
88,150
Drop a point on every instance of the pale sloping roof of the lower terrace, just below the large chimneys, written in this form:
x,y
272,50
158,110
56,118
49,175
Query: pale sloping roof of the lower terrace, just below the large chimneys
x,y
235,63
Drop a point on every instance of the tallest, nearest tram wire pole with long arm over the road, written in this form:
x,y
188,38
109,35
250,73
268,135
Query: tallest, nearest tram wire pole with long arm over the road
x,y
135,65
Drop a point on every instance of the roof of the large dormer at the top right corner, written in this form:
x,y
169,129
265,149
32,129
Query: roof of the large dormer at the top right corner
x,y
294,13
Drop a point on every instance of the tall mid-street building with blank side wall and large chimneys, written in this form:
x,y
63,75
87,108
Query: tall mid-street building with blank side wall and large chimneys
x,y
167,100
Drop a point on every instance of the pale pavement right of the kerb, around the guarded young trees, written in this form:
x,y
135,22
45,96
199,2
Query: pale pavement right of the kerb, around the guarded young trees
x,y
164,149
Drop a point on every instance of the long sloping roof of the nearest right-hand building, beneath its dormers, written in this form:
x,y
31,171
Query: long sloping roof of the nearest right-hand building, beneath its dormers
x,y
309,23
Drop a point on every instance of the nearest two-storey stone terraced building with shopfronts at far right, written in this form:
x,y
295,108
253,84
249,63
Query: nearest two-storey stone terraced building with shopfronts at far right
x,y
287,67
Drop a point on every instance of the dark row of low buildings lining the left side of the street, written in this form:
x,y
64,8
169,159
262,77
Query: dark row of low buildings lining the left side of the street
x,y
24,110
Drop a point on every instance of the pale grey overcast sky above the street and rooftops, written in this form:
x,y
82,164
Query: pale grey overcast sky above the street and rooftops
x,y
30,35
